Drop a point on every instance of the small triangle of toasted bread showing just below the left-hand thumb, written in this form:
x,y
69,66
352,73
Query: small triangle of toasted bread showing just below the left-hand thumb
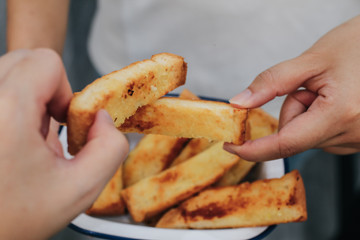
x,y
110,202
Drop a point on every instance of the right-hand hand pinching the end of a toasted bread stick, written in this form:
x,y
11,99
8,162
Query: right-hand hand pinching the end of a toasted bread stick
x,y
325,113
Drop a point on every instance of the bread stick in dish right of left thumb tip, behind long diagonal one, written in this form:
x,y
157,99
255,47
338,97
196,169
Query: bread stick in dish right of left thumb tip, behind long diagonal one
x,y
152,154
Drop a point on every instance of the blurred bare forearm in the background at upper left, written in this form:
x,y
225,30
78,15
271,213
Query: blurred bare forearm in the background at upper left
x,y
36,23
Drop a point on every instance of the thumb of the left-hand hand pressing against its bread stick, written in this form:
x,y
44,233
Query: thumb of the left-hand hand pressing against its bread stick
x,y
99,159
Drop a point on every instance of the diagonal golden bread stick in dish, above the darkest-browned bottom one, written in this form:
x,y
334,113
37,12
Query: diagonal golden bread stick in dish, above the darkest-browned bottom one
x,y
153,195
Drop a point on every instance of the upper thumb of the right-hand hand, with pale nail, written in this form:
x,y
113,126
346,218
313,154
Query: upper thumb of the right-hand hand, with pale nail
x,y
278,80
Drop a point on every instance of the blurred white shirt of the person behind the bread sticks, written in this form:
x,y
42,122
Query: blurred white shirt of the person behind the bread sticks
x,y
225,43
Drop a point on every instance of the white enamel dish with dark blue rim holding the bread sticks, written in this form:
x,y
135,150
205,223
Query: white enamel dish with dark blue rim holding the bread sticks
x,y
124,228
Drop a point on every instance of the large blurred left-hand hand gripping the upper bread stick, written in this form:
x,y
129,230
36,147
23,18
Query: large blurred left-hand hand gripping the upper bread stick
x,y
41,192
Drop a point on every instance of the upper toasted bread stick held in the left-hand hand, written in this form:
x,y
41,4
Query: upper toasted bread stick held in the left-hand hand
x,y
122,92
